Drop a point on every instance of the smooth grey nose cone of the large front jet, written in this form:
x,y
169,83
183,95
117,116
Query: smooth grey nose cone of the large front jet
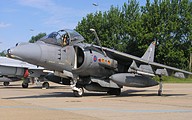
x,y
27,52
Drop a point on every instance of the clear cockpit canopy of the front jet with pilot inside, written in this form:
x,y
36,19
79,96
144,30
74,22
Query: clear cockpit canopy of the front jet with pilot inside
x,y
63,37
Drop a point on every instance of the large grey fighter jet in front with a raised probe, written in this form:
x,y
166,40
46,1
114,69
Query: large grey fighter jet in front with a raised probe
x,y
91,67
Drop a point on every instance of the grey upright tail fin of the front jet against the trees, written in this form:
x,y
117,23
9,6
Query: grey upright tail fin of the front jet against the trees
x,y
149,54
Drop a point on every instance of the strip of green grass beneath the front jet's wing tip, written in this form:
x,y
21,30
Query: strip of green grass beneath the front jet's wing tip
x,y
170,79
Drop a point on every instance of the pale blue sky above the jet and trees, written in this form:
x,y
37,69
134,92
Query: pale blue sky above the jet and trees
x,y
22,19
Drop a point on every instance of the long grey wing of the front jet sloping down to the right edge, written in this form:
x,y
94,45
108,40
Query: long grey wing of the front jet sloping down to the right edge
x,y
127,58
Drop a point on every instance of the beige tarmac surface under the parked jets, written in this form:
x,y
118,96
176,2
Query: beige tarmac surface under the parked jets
x,y
58,103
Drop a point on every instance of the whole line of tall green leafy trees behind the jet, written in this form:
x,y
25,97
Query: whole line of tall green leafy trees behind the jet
x,y
131,28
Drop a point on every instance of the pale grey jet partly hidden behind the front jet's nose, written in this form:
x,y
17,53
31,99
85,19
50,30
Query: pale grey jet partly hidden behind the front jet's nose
x,y
14,70
